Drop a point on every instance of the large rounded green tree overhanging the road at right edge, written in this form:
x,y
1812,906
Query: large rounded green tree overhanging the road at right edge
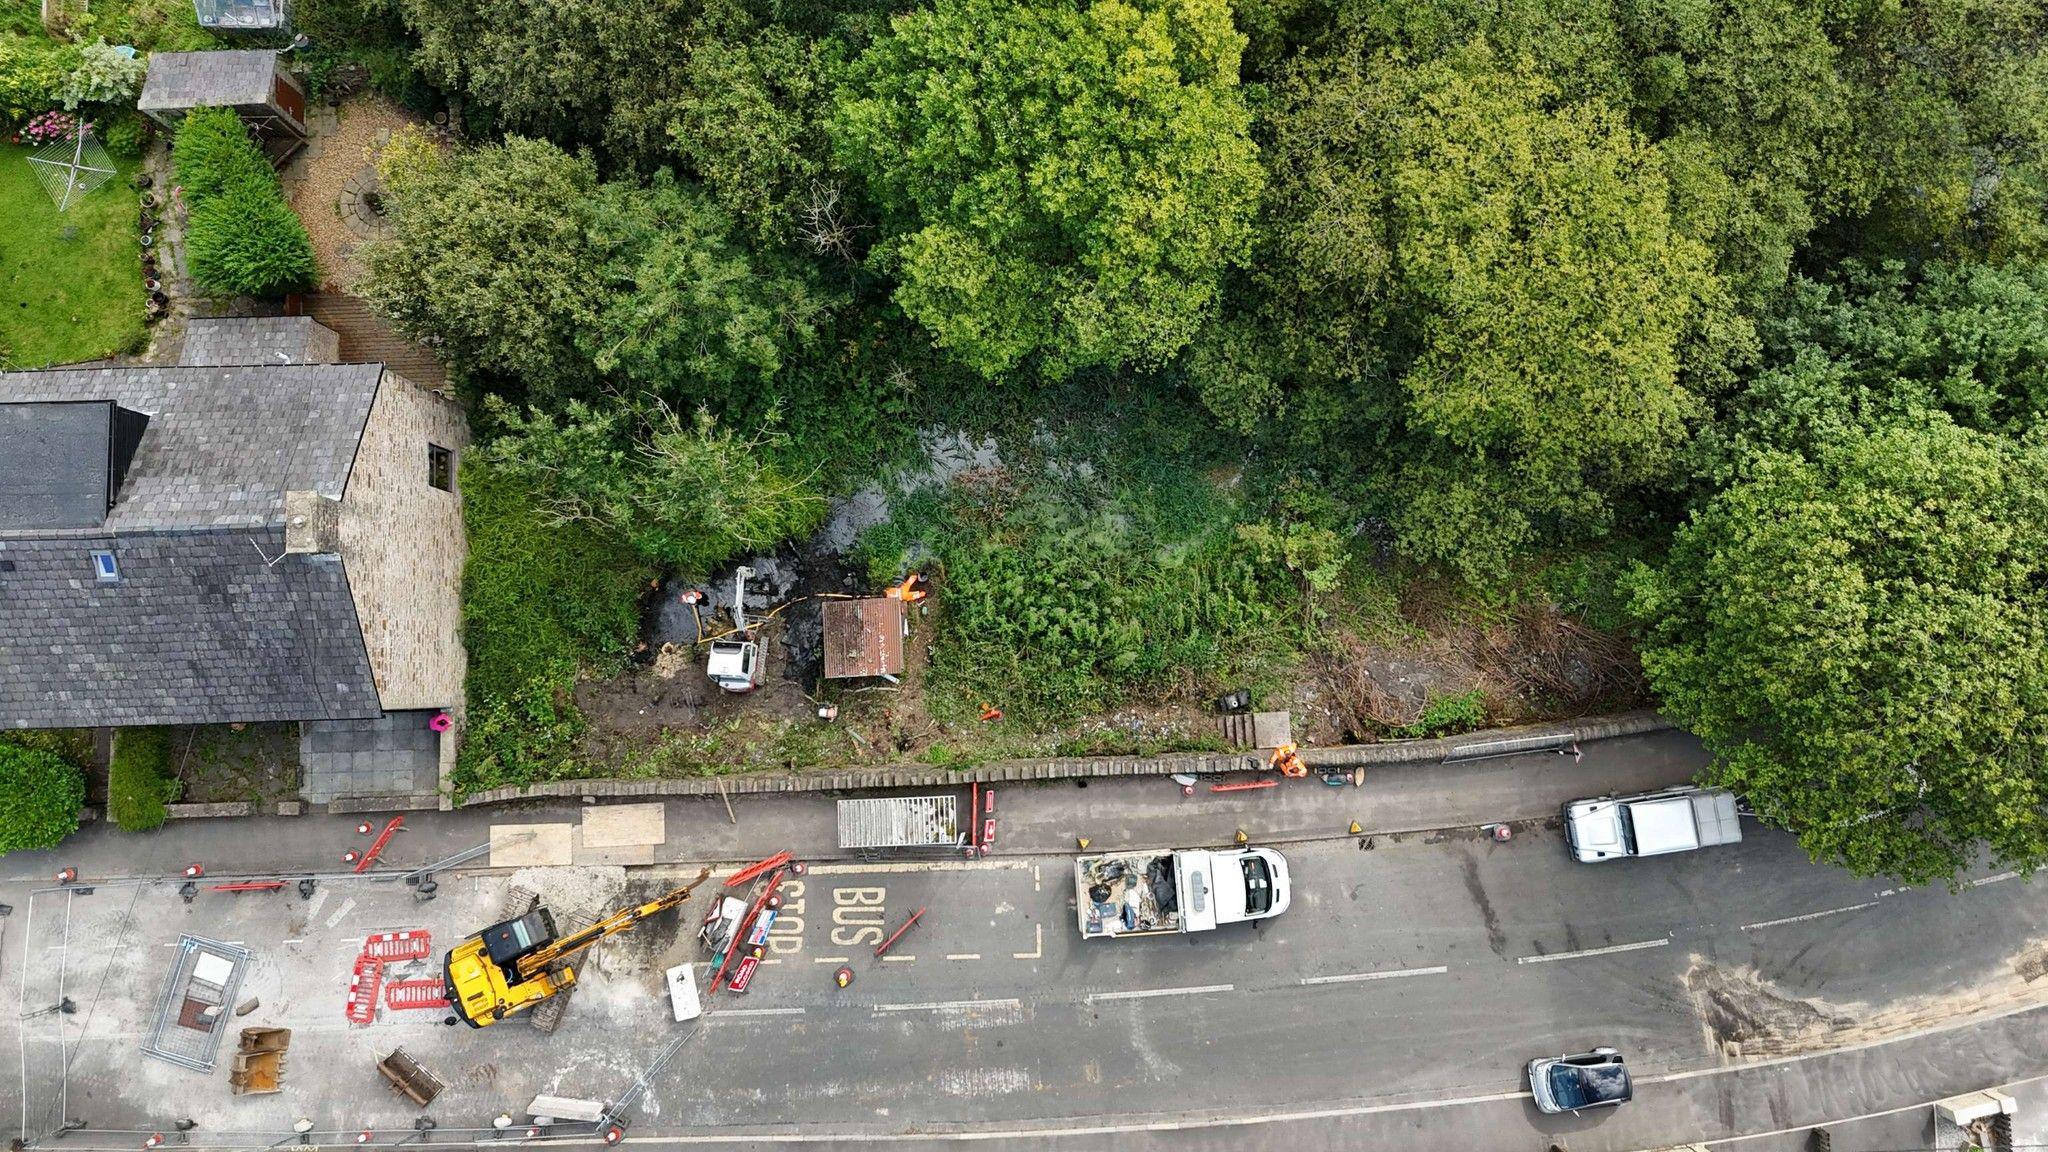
x,y
1863,643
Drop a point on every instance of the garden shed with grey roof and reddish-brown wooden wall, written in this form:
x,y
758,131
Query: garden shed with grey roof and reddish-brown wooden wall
x,y
255,83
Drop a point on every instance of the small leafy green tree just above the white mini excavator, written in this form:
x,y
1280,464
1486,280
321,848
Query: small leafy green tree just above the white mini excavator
x,y
683,495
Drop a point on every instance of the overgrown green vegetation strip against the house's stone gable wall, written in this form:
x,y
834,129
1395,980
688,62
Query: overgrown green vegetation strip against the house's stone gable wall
x,y
542,602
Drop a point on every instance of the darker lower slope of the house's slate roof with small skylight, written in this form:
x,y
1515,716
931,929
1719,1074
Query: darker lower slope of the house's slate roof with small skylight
x,y
200,630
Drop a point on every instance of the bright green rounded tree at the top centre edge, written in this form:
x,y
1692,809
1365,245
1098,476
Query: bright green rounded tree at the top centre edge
x,y
1058,179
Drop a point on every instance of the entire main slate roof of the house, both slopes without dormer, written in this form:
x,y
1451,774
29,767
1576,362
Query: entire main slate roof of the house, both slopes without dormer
x,y
202,626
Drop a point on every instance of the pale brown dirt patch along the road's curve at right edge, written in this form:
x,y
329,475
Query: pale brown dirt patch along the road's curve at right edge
x,y
1746,1018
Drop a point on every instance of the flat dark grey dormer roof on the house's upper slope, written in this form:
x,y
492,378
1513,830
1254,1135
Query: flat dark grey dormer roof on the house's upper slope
x,y
56,464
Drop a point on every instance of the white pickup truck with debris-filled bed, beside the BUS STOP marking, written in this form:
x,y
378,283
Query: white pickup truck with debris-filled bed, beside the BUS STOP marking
x,y
1185,891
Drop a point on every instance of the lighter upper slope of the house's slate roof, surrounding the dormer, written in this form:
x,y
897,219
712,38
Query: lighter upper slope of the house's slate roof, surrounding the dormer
x,y
224,444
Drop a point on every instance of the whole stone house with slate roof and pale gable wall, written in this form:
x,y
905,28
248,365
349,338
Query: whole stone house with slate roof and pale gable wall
x,y
259,534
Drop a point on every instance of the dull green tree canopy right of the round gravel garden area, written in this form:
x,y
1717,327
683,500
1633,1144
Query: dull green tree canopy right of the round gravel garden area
x,y
525,268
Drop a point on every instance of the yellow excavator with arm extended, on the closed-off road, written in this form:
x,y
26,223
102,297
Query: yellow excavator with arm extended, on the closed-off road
x,y
517,964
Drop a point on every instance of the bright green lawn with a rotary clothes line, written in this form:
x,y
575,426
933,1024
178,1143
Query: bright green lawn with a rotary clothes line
x,y
71,284
